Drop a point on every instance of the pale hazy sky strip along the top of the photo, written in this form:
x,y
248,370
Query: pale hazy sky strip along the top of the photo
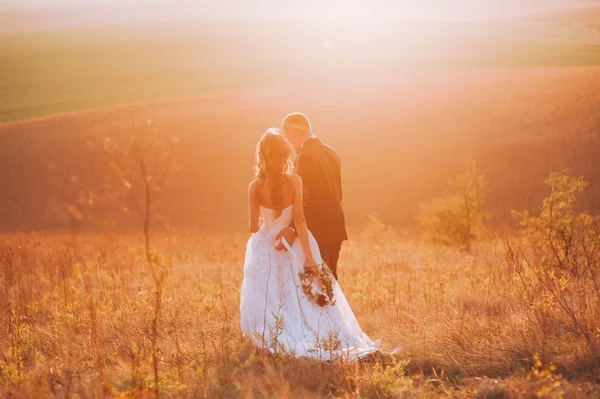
x,y
409,9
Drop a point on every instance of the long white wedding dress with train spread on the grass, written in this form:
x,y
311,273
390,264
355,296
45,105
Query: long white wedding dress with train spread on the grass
x,y
275,313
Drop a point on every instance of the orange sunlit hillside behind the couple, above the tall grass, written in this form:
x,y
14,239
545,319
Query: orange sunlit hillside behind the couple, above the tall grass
x,y
400,138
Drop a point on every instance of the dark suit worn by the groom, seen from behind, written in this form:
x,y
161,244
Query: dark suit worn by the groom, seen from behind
x,y
319,167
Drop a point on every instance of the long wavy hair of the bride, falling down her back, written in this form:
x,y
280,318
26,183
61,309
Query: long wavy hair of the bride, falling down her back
x,y
273,165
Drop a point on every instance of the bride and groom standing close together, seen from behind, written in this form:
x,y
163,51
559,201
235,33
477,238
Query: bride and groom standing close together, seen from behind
x,y
290,300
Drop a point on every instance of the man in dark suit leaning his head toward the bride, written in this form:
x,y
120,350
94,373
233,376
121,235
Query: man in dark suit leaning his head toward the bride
x,y
319,167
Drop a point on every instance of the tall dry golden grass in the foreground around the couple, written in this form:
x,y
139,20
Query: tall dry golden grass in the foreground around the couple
x,y
76,316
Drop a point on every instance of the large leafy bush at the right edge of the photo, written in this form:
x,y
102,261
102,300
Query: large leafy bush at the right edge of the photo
x,y
559,264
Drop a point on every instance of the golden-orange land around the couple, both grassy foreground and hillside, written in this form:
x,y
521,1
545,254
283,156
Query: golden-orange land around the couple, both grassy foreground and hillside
x,y
78,309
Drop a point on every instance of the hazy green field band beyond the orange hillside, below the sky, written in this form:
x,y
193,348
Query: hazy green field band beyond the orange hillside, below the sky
x,y
47,73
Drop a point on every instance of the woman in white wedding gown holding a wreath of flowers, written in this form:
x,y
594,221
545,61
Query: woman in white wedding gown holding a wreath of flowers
x,y
278,307
